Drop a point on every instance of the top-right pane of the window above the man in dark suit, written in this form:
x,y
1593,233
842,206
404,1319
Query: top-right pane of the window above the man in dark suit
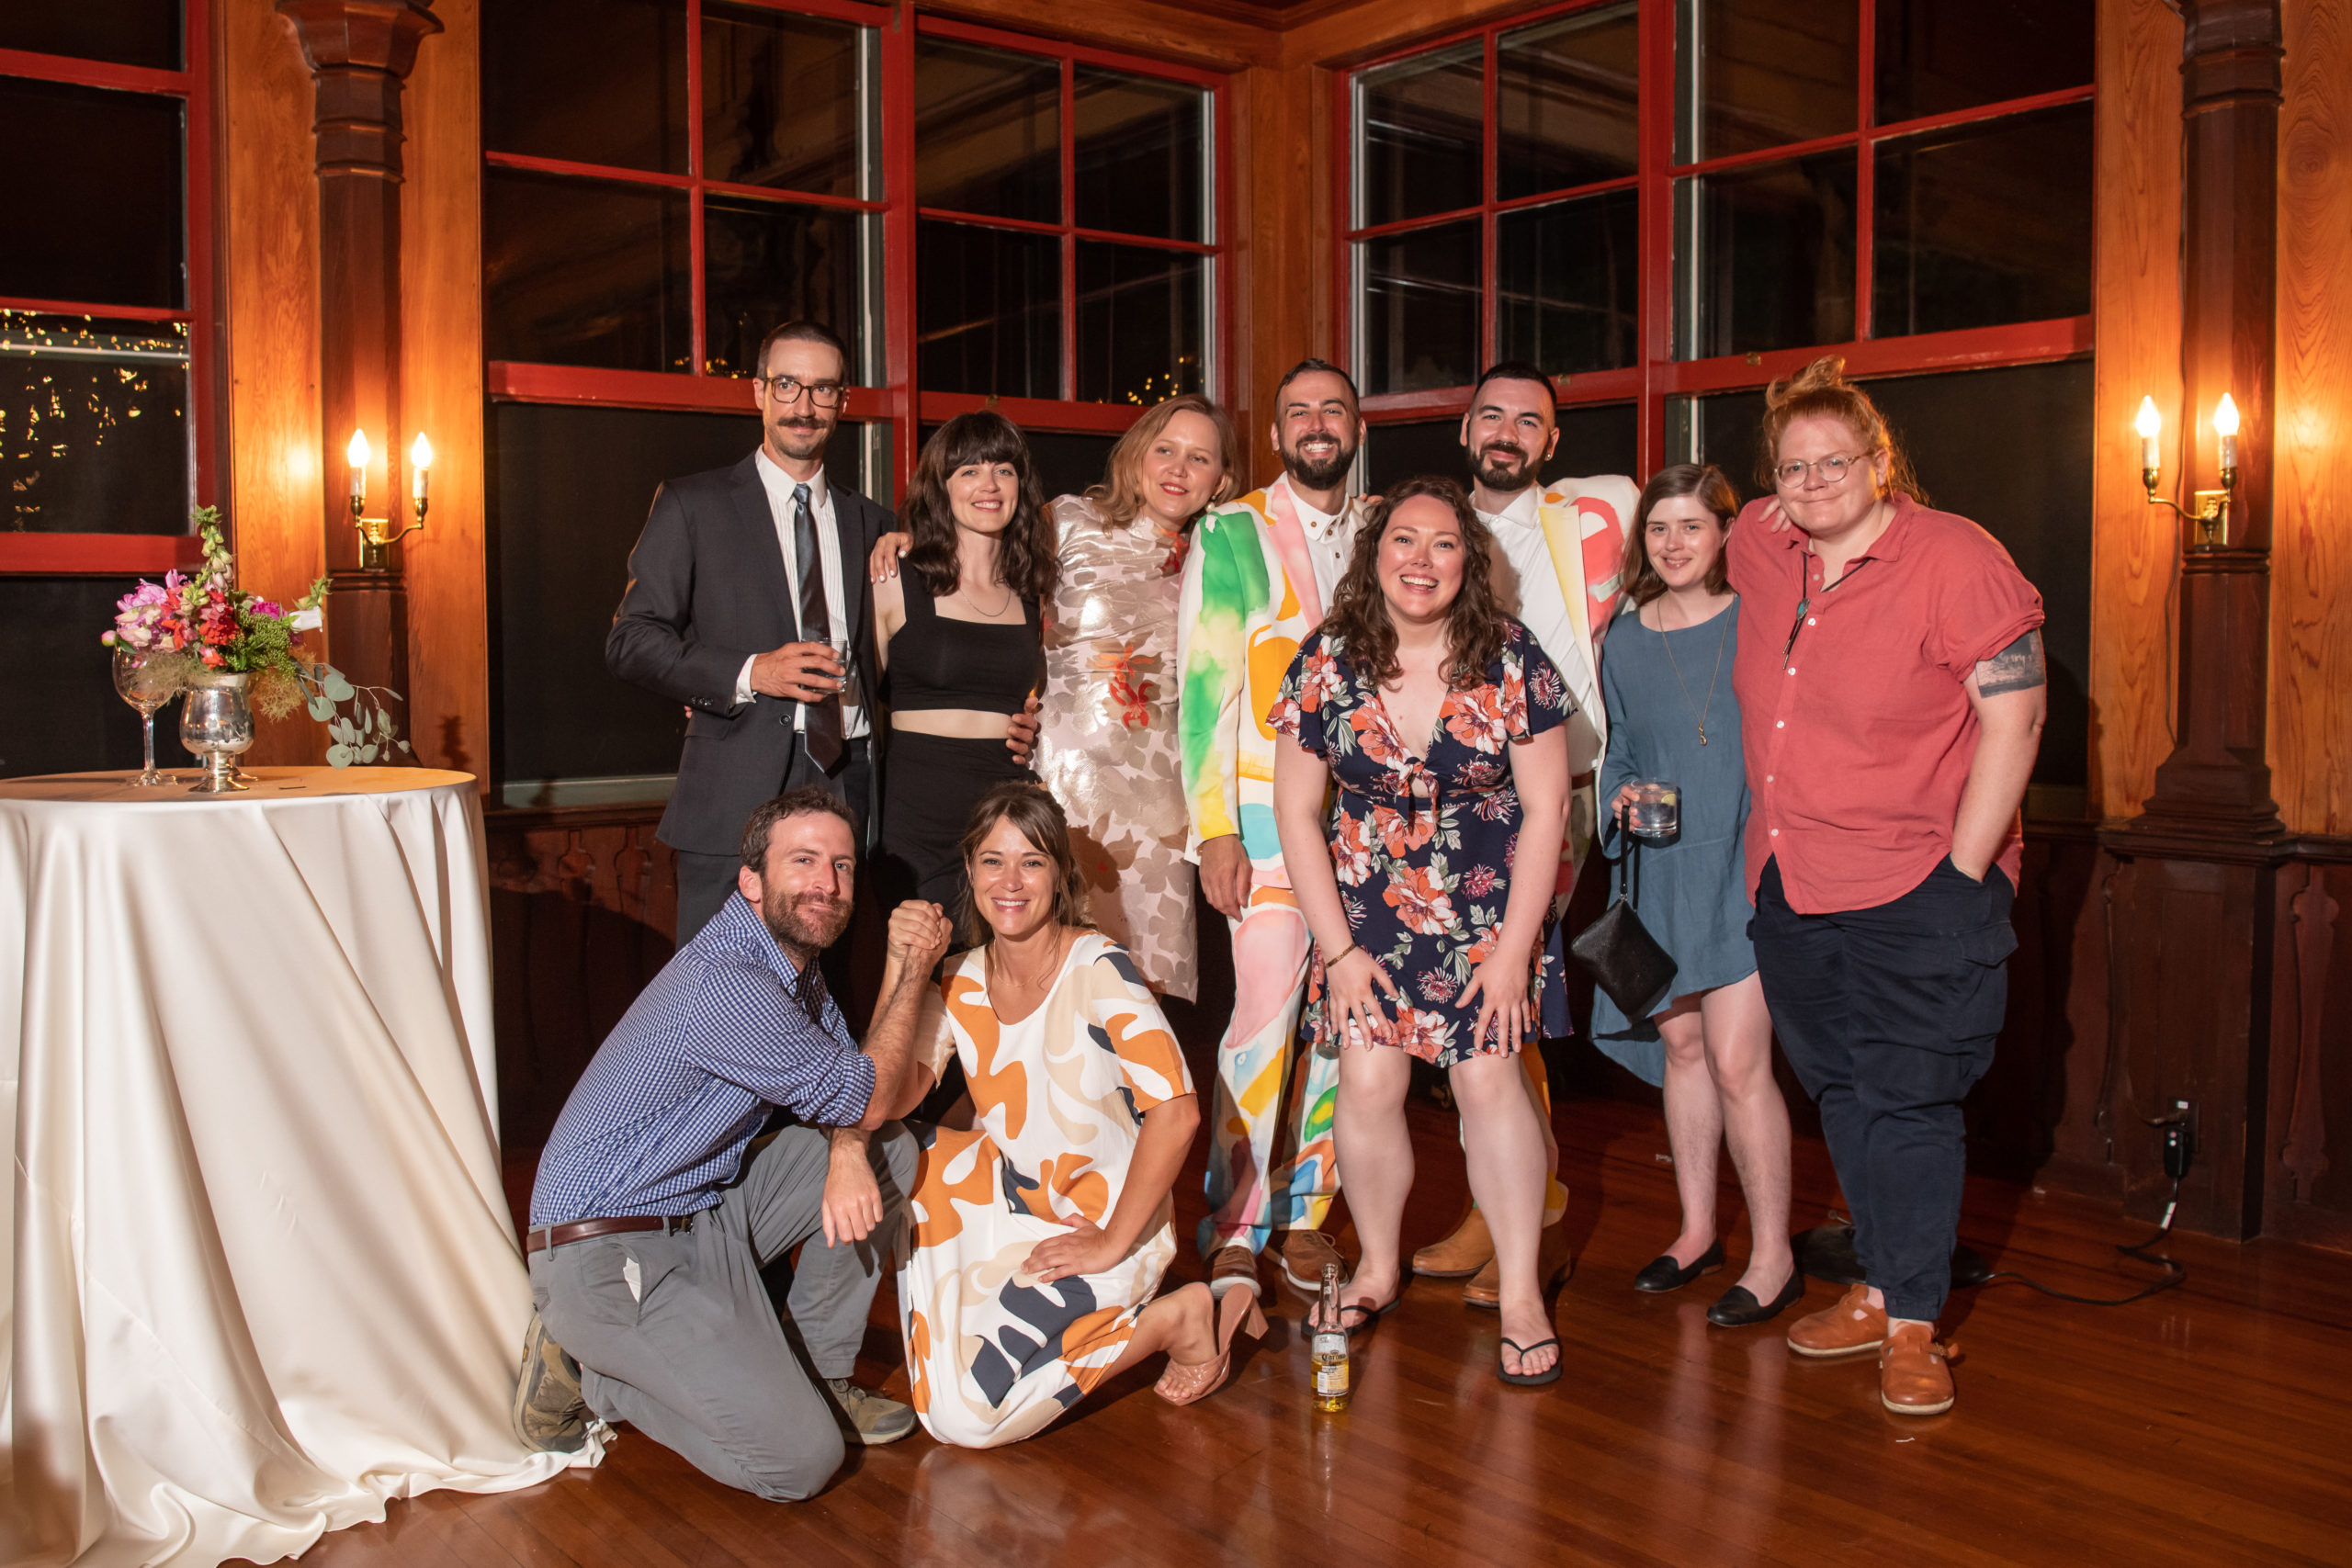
x,y
782,100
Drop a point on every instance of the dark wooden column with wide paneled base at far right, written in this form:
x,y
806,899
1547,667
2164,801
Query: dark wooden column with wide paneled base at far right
x,y
2193,902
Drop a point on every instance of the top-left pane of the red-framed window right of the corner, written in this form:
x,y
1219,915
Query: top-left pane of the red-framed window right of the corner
x,y
1422,135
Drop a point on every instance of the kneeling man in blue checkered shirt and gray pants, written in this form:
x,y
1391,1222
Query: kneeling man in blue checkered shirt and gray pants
x,y
655,1212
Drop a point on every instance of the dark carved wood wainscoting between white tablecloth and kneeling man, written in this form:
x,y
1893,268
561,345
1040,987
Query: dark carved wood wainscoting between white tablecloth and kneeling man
x,y
582,916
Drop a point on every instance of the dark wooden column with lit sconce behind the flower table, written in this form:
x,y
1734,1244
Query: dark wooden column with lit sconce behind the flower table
x,y
359,55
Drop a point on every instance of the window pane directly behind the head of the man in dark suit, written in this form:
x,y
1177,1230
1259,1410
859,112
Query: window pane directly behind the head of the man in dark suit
x,y
768,264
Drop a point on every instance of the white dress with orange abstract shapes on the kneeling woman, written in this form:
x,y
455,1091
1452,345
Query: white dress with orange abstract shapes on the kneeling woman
x,y
1060,1099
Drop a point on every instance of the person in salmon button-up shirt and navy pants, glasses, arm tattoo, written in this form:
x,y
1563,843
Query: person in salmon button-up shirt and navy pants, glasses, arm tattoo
x,y
1892,706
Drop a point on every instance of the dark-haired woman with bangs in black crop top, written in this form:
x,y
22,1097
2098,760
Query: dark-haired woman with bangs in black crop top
x,y
961,648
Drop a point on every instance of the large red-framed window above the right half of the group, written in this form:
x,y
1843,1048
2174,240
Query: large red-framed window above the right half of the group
x,y
1671,199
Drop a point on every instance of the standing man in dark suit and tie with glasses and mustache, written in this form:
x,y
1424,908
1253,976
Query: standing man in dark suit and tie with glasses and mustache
x,y
742,589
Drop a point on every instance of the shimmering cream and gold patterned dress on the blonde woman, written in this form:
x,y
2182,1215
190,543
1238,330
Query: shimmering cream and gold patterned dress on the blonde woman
x,y
1107,744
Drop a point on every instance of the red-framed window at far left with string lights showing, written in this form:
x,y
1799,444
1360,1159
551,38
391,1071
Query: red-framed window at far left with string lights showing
x,y
107,309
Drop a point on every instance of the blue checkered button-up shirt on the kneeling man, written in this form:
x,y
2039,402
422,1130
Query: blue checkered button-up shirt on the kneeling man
x,y
683,1085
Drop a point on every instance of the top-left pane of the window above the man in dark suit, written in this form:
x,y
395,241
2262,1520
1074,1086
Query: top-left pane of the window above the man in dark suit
x,y
594,81
